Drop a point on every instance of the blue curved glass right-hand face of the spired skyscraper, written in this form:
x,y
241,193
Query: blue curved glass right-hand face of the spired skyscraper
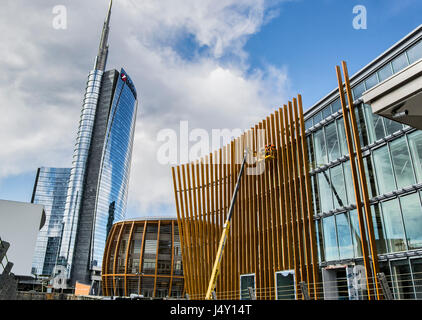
x,y
115,167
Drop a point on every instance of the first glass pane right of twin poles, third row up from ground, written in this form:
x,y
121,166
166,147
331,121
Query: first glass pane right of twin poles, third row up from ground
x,y
384,171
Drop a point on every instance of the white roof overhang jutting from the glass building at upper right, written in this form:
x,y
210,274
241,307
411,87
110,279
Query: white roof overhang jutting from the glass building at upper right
x,y
399,97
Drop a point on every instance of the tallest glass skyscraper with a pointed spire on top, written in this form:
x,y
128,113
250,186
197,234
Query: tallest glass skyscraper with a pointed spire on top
x,y
99,177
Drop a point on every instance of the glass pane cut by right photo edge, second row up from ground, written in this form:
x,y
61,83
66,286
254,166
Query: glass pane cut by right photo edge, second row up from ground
x,y
412,216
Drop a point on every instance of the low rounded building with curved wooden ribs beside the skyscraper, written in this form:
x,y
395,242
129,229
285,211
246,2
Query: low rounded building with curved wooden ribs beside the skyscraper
x,y
143,257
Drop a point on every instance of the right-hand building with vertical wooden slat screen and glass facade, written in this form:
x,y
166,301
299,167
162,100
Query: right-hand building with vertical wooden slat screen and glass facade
x,y
297,222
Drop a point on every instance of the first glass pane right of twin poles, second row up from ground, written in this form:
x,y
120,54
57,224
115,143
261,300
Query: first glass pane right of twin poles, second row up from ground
x,y
393,225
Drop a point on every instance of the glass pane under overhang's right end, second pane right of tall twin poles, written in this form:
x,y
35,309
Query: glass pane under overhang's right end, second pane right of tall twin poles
x,y
402,163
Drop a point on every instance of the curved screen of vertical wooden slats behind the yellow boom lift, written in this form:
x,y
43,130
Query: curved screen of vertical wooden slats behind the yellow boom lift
x,y
272,227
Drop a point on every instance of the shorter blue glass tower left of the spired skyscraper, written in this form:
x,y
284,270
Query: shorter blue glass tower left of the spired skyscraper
x,y
50,190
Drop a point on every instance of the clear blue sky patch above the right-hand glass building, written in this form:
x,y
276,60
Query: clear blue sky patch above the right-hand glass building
x,y
311,37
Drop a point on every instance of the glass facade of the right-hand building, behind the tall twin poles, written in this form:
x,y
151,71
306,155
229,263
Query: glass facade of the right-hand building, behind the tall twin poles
x,y
392,155
